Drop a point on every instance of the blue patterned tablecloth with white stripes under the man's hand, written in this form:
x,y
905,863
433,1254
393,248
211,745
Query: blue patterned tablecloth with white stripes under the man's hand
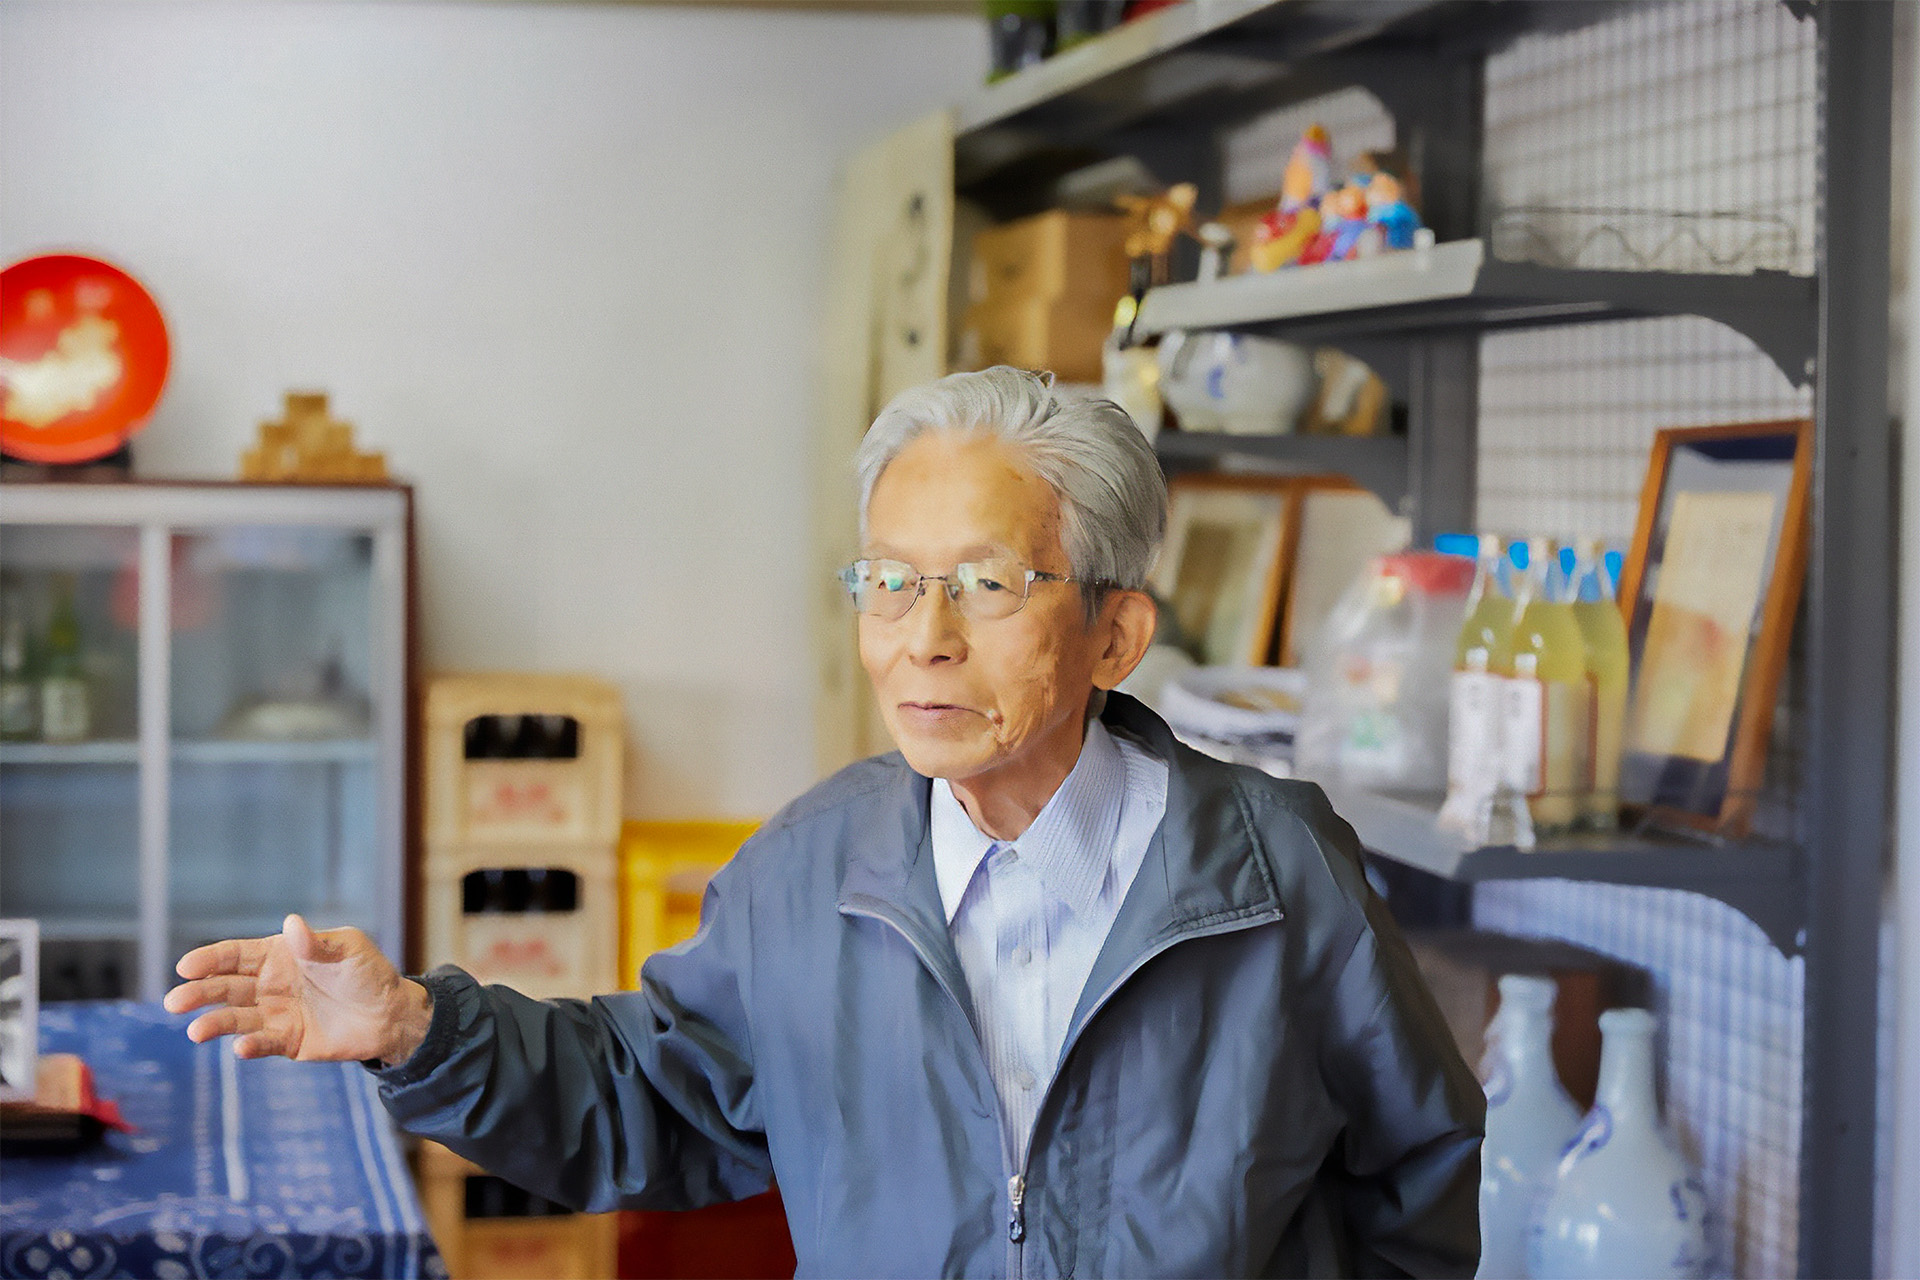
x,y
239,1168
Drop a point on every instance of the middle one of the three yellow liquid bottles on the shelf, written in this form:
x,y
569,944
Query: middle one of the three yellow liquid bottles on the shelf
x,y
1547,723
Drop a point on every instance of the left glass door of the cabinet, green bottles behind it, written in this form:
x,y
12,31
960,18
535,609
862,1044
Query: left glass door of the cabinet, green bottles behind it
x,y
70,757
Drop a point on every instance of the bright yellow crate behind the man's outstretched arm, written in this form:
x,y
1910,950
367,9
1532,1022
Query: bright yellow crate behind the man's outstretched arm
x,y
663,876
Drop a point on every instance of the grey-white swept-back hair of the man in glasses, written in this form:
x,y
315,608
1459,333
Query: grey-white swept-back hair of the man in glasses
x,y
1111,488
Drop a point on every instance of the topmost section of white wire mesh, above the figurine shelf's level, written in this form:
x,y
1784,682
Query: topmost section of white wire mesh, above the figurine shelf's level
x,y
1687,128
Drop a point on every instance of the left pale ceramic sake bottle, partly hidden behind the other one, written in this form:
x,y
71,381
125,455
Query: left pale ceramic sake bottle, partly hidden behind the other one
x,y
1529,1122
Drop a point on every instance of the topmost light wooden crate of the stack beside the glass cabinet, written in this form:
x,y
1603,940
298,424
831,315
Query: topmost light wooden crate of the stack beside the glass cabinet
x,y
523,801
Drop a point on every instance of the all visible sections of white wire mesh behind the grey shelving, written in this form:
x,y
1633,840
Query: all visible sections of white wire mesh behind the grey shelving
x,y
1669,139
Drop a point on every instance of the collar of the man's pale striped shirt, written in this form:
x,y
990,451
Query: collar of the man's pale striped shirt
x,y
1070,843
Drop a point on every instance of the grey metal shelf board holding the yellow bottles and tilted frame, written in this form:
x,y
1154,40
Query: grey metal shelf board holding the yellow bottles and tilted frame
x,y
1758,878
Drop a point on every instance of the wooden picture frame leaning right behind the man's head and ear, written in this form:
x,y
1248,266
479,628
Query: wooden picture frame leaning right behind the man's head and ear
x,y
1228,557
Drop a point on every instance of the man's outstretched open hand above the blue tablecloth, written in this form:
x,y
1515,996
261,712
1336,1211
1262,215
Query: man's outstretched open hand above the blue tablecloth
x,y
304,995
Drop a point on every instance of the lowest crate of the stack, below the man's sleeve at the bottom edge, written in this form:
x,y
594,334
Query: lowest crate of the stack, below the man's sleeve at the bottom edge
x,y
577,1246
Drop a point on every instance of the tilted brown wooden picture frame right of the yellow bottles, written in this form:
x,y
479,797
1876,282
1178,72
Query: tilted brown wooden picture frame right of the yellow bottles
x,y
1708,594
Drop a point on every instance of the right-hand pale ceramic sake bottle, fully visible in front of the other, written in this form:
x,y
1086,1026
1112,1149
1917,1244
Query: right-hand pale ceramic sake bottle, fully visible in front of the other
x,y
1625,1202
